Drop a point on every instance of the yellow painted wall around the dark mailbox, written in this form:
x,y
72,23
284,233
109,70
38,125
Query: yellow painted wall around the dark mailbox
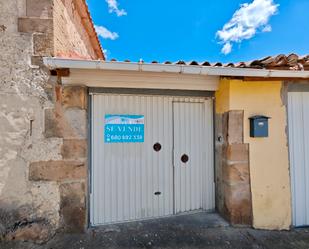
x,y
269,162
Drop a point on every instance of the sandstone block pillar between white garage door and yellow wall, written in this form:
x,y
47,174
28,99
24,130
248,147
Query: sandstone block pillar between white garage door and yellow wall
x,y
232,169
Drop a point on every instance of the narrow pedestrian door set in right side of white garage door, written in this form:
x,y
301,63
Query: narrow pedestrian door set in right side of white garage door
x,y
193,158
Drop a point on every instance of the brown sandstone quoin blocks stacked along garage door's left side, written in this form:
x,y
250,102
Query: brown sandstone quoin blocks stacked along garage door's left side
x,y
67,121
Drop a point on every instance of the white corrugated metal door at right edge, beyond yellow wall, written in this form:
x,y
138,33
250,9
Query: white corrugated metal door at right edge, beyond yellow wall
x,y
298,113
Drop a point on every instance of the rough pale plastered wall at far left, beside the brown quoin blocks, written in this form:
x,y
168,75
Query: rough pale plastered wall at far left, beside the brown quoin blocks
x,y
27,209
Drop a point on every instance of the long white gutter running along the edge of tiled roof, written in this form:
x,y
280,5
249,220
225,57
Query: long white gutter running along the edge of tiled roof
x,y
54,63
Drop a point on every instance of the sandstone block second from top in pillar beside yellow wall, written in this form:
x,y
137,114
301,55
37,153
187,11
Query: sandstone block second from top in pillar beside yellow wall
x,y
237,153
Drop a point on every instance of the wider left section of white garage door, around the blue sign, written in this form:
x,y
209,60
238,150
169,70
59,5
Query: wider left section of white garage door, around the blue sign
x,y
127,177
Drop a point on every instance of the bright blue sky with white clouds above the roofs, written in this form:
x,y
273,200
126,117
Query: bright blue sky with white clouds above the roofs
x,y
186,30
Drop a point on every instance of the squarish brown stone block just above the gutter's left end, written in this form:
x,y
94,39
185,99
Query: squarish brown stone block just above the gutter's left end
x,y
43,45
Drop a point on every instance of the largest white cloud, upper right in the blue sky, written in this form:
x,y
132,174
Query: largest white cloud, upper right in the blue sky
x,y
246,22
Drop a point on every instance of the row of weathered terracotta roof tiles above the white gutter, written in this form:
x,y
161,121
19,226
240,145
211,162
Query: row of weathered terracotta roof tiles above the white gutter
x,y
278,62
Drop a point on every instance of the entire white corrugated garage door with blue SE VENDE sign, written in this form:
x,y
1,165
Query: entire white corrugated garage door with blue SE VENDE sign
x,y
139,173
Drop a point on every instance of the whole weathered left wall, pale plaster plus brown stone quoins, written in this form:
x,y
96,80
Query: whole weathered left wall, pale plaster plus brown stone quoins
x,y
43,130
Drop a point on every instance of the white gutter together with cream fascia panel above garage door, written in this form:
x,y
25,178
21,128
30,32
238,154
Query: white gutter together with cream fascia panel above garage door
x,y
157,76
